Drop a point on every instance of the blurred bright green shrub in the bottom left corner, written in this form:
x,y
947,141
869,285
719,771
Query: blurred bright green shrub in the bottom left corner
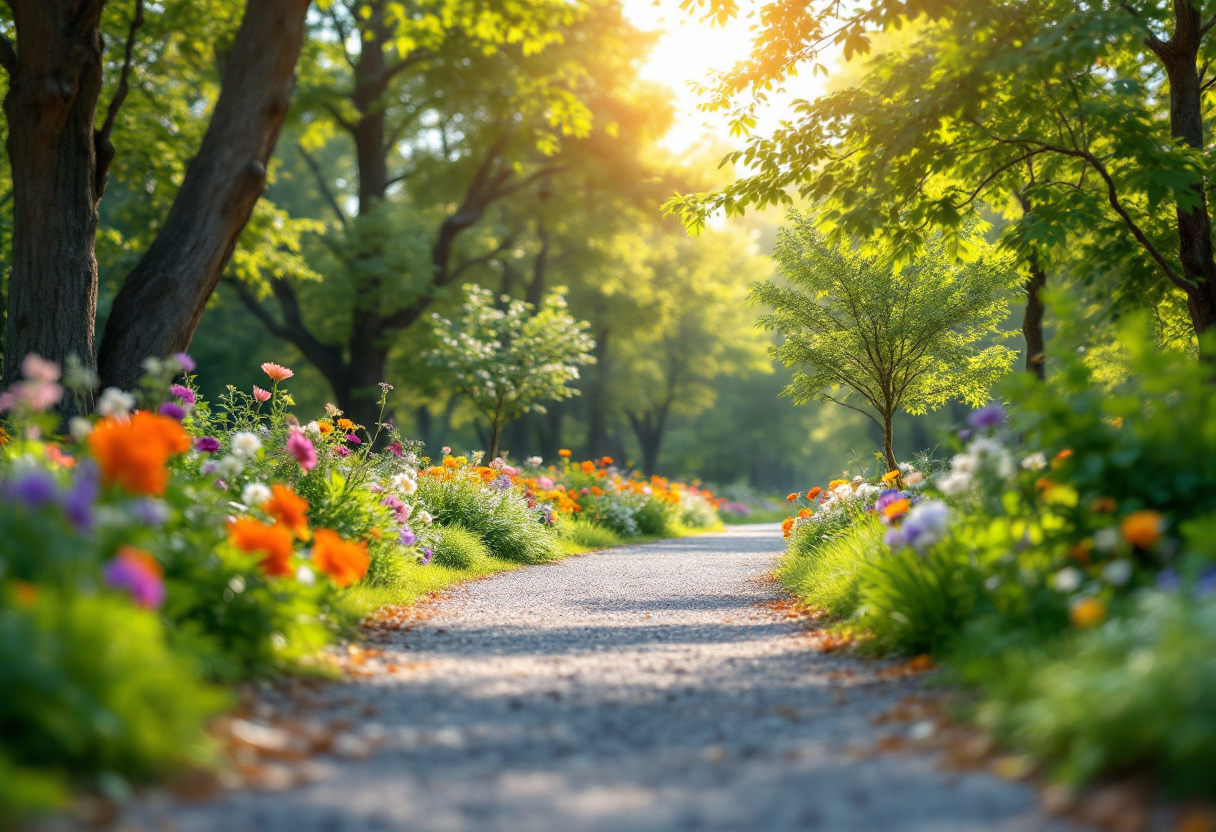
x,y
91,688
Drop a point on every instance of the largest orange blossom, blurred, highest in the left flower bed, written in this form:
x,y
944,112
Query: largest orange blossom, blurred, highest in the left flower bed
x,y
134,453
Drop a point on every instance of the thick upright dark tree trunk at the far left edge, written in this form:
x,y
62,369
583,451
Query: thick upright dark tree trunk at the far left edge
x,y
55,81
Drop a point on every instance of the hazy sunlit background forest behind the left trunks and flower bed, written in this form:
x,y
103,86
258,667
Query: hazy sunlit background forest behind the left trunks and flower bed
x,y
424,155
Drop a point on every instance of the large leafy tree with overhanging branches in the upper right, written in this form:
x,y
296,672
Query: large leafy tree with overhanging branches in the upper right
x,y
1084,121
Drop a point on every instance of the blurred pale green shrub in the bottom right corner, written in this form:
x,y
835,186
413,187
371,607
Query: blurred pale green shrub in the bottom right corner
x,y
1133,695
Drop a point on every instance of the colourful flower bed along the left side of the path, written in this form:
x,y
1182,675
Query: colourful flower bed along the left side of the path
x,y
168,548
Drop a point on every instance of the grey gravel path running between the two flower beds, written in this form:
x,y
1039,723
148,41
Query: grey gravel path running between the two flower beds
x,y
645,688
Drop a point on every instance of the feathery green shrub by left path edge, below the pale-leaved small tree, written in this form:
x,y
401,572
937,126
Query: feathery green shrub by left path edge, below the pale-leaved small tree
x,y
502,520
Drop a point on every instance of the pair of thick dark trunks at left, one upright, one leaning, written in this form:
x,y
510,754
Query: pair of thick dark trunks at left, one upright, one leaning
x,y
61,153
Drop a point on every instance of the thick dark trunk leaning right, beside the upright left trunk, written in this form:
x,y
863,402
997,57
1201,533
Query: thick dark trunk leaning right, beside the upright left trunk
x,y
159,307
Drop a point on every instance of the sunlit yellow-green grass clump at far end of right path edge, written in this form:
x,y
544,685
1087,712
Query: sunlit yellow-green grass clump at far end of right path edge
x,y
827,576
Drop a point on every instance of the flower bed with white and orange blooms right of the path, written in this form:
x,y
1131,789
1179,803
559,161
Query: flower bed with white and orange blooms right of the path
x,y
1063,564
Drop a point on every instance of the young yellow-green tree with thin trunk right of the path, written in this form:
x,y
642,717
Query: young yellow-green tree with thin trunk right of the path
x,y
902,339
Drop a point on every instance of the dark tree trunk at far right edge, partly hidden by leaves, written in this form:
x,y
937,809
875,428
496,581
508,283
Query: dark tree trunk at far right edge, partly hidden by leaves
x,y
1180,58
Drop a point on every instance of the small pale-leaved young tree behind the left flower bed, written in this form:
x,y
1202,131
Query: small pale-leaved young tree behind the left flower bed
x,y
510,361
